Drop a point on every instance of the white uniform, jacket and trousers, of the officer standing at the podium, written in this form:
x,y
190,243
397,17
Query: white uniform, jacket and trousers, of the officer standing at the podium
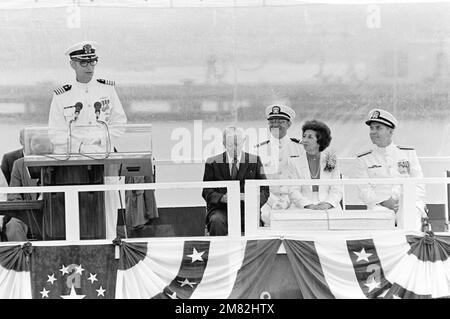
x,y
111,113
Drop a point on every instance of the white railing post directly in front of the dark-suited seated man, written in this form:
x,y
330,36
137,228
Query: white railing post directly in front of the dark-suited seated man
x,y
234,210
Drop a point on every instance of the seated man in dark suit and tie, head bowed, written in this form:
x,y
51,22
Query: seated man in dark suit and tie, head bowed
x,y
233,164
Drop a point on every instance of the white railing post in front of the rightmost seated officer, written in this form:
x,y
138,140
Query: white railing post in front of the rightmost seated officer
x,y
408,214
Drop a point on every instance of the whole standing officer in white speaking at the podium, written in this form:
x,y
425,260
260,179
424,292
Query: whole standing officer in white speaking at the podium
x,y
88,101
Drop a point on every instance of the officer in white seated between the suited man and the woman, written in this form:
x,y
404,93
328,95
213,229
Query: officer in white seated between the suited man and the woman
x,y
274,154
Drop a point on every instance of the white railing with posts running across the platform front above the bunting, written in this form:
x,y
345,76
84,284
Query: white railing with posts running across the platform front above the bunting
x,y
252,209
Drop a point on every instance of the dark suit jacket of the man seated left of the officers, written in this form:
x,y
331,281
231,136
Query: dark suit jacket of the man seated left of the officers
x,y
217,168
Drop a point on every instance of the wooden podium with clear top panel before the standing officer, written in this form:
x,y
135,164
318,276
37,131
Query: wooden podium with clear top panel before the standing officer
x,y
86,155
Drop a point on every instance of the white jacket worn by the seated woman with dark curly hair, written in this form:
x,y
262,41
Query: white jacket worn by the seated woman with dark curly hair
x,y
303,195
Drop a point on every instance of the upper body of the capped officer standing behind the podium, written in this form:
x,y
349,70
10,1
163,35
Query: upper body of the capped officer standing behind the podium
x,y
85,100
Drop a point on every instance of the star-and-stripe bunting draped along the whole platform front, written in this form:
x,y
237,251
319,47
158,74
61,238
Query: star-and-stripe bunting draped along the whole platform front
x,y
389,265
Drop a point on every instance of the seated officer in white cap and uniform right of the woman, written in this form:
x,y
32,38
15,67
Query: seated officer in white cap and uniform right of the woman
x,y
388,160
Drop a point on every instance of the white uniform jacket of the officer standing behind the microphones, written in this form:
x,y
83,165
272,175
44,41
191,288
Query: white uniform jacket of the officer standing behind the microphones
x,y
99,90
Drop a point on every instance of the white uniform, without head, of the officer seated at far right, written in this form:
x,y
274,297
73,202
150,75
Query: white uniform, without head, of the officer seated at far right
x,y
389,162
